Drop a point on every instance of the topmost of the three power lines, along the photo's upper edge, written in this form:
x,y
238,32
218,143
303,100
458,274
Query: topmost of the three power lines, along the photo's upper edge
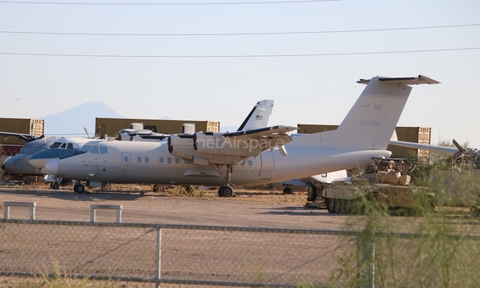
x,y
165,4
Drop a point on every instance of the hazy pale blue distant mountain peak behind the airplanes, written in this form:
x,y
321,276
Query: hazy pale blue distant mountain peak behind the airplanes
x,y
73,121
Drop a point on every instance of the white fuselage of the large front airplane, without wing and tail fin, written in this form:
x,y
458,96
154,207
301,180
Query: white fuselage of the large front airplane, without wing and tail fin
x,y
152,163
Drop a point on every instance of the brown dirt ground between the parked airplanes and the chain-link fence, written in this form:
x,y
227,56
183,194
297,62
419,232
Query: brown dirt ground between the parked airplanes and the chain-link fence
x,y
249,208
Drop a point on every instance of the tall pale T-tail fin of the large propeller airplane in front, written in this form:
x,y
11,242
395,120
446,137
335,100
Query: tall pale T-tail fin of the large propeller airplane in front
x,y
374,116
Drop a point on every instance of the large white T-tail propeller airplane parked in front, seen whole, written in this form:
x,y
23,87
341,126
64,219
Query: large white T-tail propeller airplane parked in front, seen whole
x,y
259,156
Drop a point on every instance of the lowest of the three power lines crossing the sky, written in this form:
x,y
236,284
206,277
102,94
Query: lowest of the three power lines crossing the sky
x,y
240,56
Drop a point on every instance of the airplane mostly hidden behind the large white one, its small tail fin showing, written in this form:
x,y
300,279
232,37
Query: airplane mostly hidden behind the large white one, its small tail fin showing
x,y
257,118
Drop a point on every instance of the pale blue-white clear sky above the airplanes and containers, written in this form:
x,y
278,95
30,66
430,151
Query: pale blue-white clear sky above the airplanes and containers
x,y
213,60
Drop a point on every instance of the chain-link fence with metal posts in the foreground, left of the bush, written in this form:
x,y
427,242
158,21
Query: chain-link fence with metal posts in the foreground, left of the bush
x,y
170,253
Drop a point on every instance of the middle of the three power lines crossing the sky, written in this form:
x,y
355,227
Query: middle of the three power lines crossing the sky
x,y
241,33
